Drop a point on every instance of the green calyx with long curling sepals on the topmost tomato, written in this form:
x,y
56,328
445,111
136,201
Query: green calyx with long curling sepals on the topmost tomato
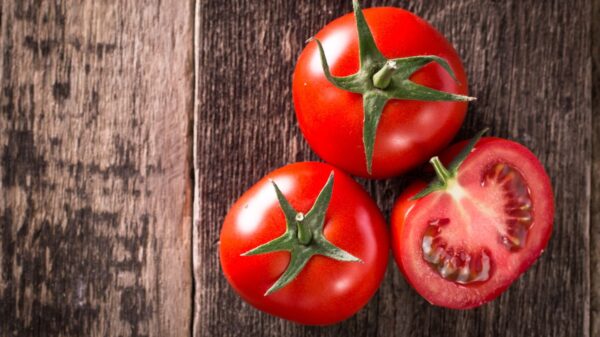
x,y
380,79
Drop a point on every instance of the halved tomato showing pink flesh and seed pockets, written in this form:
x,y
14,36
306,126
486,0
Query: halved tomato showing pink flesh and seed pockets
x,y
462,244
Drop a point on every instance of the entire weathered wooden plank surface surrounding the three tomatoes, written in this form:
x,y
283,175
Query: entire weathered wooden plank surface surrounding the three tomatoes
x,y
117,116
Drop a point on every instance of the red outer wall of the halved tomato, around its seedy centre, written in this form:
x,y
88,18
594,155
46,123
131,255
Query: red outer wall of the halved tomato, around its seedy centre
x,y
406,232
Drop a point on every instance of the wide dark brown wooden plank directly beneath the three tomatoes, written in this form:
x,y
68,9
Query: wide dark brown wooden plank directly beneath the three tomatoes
x,y
530,67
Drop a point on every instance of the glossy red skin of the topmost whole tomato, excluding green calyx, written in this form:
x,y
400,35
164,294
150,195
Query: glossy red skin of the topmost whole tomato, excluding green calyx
x,y
409,132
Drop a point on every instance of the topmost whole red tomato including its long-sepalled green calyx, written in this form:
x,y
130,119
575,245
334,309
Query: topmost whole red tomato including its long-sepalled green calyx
x,y
385,95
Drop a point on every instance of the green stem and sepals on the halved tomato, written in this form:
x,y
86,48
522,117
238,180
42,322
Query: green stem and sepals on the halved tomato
x,y
443,175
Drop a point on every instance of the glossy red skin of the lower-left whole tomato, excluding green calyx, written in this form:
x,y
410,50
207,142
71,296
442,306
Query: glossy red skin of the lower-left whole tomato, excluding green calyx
x,y
326,291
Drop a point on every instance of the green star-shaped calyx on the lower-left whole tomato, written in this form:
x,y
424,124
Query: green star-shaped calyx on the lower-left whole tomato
x,y
303,237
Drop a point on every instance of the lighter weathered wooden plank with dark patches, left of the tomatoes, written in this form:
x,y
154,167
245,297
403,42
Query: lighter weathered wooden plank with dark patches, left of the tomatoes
x,y
95,194
